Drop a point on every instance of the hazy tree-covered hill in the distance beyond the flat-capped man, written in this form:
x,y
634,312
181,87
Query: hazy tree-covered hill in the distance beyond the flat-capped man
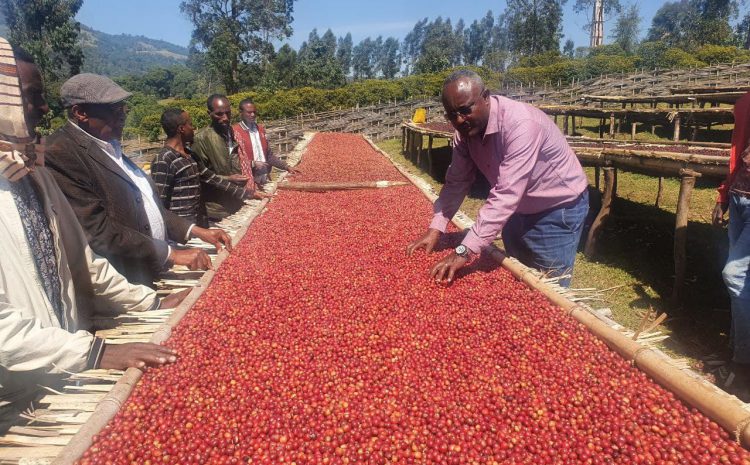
x,y
124,54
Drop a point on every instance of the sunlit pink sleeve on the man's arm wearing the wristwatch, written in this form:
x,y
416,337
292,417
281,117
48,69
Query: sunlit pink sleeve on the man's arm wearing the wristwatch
x,y
522,146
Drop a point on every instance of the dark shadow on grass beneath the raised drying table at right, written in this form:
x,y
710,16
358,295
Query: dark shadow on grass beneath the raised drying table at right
x,y
639,239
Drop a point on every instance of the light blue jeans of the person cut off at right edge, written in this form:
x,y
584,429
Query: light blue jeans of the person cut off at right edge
x,y
735,276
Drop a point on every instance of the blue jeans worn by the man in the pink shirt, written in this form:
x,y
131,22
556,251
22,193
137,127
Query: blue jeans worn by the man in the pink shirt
x,y
548,241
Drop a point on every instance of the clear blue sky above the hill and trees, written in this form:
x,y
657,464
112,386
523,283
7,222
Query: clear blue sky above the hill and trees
x,y
161,19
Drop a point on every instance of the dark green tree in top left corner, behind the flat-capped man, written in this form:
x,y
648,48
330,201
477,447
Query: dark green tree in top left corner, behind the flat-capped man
x,y
47,29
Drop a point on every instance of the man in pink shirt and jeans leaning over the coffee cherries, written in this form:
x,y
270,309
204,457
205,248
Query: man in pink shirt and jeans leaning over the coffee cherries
x,y
538,199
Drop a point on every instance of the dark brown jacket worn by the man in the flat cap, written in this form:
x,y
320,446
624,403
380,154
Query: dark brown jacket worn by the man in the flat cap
x,y
109,206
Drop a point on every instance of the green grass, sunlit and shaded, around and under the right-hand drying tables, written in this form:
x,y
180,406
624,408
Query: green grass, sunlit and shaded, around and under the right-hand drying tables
x,y
634,263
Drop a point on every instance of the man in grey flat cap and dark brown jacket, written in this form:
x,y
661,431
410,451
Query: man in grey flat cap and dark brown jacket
x,y
115,201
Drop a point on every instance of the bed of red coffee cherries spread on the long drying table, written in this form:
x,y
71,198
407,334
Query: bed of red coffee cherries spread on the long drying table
x,y
321,342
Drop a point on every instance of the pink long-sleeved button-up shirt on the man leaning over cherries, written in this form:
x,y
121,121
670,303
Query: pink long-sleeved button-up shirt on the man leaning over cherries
x,y
525,157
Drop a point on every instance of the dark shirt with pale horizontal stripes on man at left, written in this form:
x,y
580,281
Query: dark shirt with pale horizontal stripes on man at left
x,y
178,182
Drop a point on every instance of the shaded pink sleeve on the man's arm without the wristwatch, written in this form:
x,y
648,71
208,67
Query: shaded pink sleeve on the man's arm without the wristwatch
x,y
459,178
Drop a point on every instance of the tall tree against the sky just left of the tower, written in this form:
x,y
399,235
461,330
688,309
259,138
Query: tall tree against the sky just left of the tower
x,y
534,26
